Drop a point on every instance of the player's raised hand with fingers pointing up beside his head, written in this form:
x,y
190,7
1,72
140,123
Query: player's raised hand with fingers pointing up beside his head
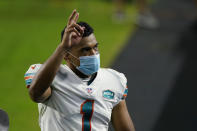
x,y
73,32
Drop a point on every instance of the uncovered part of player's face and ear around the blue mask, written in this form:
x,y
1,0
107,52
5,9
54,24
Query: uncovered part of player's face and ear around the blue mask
x,y
88,46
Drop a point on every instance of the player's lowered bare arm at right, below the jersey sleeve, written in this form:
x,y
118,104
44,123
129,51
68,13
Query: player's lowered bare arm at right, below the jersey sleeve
x,y
121,119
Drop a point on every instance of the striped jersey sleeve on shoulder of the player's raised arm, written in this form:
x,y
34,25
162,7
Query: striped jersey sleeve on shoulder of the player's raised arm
x,y
31,73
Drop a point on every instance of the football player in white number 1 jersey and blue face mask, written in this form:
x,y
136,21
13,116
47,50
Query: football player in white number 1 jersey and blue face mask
x,y
78,96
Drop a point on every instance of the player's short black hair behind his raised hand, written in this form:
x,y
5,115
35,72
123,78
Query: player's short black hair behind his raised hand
x,y
88,29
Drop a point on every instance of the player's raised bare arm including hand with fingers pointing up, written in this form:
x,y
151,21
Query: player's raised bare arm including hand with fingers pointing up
x,y
40,89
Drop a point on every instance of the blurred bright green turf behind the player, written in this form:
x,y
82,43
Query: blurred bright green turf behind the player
x,y
30,32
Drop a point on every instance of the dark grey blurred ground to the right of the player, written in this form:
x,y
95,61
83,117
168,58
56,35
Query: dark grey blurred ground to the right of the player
x,y
161,69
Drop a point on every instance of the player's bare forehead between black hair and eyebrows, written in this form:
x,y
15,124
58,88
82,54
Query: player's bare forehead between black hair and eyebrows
x,y
87,41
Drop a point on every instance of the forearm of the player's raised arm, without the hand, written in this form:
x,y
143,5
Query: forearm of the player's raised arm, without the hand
x,y
44,77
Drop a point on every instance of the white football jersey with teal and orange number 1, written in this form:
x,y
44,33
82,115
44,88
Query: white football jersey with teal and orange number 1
x,y
76,106
